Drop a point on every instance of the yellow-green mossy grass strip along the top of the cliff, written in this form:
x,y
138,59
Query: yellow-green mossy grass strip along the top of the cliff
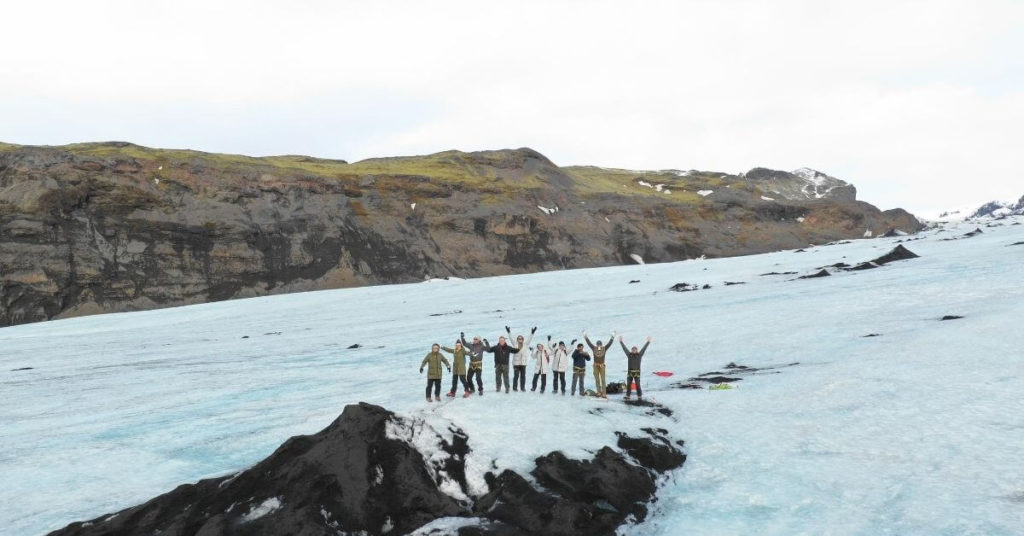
x,y
490,173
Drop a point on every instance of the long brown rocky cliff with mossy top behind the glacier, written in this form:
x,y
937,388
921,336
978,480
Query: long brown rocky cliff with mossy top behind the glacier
x,y
101,228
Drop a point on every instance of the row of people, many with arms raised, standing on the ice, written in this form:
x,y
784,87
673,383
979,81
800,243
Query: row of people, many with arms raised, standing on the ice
x,y
550,357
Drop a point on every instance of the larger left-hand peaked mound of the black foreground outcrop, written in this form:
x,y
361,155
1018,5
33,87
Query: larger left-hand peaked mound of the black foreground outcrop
x,y
351,477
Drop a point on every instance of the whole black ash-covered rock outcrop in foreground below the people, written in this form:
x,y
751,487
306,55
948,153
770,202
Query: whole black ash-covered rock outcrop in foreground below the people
x,y
372,472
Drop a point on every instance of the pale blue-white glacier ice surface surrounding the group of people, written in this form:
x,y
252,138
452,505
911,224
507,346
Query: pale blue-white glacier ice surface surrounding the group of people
x,y
917,431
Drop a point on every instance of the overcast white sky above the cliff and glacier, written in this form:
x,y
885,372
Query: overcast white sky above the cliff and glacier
x,y
921,105
